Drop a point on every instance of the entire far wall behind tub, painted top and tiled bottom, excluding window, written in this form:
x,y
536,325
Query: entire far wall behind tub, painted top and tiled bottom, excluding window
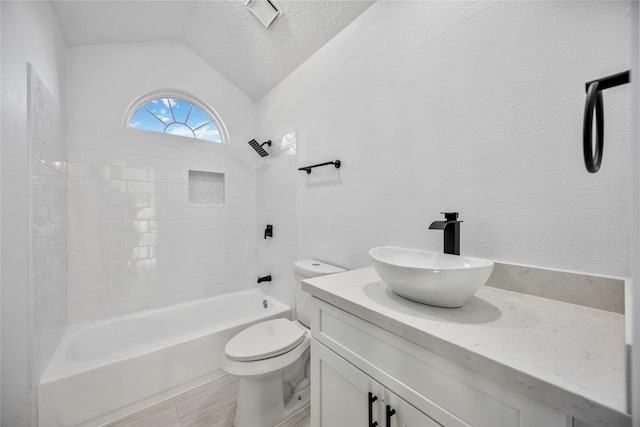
x,y
135,242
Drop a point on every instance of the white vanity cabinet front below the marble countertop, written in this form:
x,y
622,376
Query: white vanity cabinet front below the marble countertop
x,y
361,373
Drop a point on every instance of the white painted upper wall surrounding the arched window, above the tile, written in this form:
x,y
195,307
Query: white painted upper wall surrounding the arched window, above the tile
x,y
104,80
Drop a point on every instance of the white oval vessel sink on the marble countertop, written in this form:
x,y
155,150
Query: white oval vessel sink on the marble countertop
x,y
431,278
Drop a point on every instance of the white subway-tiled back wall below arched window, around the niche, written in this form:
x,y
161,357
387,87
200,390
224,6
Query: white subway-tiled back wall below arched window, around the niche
x,y
135,241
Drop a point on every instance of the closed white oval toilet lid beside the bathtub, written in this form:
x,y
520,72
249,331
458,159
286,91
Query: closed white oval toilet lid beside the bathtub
x,y
264,340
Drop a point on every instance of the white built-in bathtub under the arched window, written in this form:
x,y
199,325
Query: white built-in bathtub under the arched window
x,y
106,369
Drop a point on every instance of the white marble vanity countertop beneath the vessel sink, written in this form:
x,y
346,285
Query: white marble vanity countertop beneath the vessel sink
x,y
567,356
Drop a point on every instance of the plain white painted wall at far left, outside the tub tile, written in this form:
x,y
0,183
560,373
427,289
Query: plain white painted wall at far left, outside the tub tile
x,y
29,35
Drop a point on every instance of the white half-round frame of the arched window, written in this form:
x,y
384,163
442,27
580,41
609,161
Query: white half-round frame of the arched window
x,y
182,96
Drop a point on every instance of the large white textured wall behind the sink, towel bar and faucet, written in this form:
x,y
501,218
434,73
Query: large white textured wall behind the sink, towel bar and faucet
x,y
473,107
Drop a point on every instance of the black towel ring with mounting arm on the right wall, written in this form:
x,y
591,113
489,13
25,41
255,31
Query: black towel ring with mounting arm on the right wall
x,y
593,157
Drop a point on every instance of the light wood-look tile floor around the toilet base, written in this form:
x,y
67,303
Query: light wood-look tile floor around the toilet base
x,y
210,405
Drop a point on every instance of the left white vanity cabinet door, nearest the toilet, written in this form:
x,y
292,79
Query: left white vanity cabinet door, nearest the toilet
x,y
341,394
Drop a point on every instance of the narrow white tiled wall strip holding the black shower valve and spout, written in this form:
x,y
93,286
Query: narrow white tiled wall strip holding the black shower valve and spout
x,y
277,185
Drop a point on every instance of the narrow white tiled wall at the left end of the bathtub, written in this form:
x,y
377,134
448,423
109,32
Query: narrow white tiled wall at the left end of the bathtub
x,y
49,222
